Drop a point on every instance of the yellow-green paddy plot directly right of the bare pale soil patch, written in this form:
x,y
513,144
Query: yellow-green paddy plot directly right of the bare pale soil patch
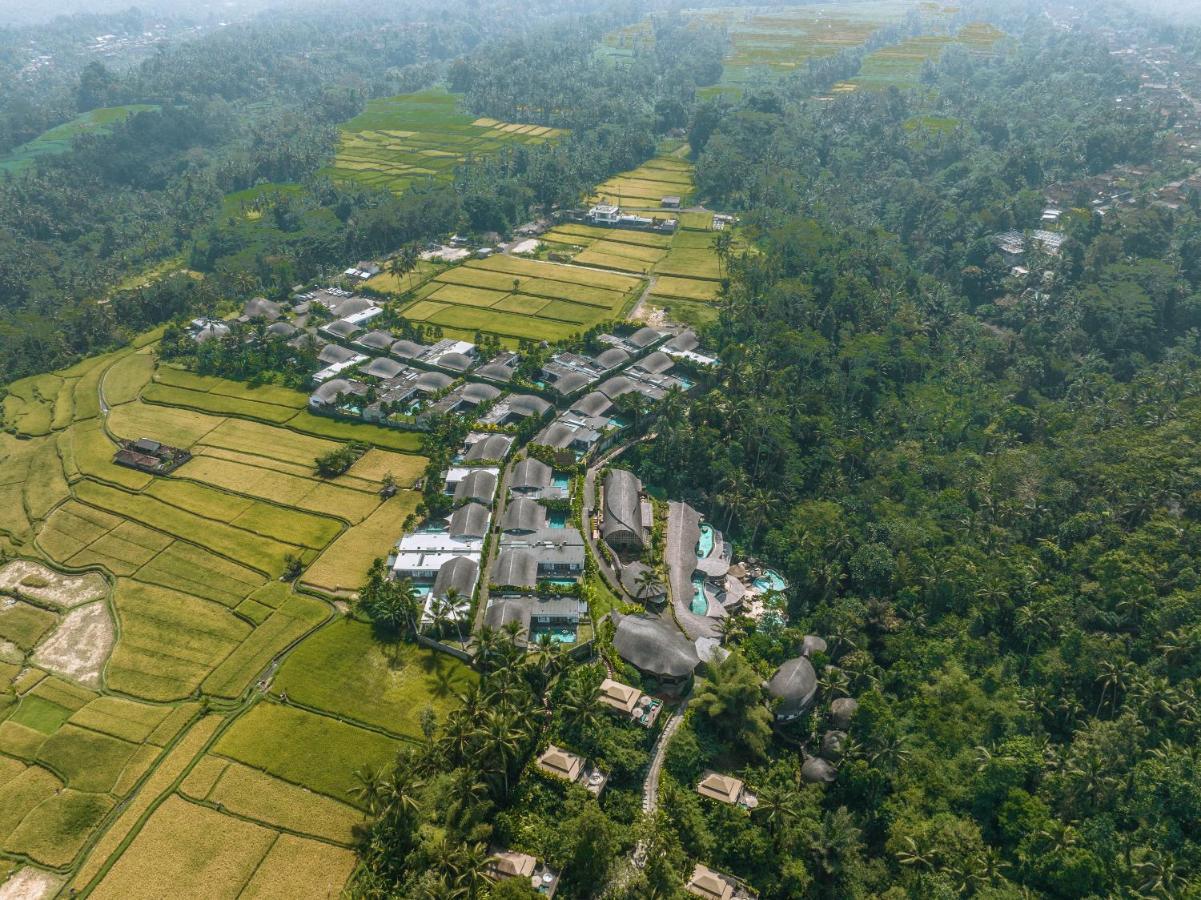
x,y
169,642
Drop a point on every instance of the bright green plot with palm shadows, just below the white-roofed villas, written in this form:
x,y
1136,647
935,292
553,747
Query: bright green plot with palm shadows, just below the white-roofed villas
x,y
345,671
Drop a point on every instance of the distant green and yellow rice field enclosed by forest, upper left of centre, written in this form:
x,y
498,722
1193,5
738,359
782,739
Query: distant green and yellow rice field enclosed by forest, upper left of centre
x,y
413,138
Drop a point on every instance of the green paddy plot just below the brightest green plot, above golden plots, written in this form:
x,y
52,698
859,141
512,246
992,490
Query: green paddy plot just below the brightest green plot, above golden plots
x,y
306,749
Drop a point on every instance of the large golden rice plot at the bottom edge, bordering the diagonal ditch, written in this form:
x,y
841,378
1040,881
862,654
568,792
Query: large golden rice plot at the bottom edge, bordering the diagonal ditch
x,y
188,851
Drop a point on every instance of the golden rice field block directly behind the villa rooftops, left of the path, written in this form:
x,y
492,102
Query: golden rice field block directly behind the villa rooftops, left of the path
x,y
521,299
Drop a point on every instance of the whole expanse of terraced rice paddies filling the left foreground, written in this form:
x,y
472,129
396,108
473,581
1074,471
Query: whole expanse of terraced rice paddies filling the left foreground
x,y
133,598
